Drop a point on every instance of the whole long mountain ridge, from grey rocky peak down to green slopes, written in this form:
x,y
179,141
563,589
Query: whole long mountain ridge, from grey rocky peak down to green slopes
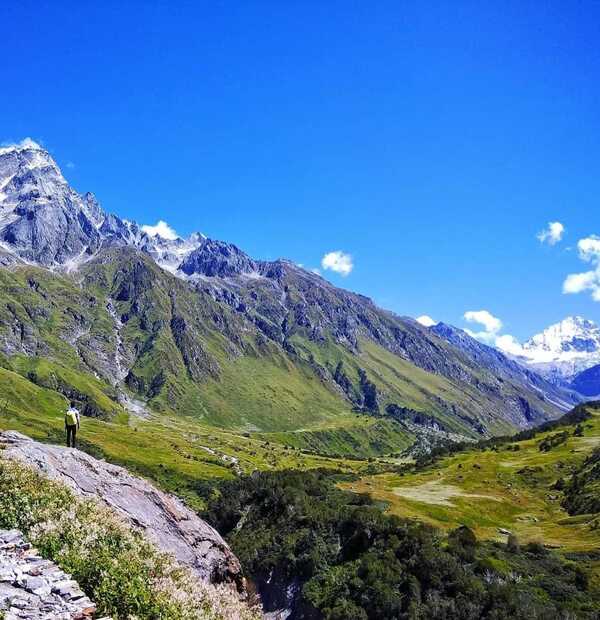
x,y
173,320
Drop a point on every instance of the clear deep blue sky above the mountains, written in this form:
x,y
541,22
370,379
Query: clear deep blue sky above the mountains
x,y
430,141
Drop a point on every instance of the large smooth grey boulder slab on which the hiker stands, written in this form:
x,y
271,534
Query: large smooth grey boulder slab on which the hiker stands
x,y
163,518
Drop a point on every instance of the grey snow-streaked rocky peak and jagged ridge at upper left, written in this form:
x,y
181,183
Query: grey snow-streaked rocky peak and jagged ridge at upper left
x,y
44,221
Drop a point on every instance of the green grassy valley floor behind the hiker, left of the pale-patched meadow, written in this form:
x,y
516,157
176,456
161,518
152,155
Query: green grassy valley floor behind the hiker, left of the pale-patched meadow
x,y
179,453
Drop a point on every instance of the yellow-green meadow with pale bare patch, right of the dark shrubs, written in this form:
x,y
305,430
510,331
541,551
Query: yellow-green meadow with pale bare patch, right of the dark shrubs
x,y
509,488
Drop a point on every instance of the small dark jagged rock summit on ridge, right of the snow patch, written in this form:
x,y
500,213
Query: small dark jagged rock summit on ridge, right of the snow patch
x,y
216,258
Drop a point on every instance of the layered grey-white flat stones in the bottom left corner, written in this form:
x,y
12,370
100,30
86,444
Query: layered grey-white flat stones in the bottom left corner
x,y
34,588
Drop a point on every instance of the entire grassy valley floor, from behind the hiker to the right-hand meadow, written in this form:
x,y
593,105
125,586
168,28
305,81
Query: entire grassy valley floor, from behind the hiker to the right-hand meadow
x,y
507,488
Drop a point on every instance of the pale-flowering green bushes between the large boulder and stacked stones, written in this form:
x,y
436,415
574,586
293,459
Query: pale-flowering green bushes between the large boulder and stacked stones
x,y
118,568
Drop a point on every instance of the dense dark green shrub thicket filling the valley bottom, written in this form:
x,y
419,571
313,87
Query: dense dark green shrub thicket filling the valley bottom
x,y
346,559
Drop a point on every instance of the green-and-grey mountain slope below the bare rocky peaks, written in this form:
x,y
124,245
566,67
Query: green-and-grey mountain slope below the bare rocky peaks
x,y
283,353
